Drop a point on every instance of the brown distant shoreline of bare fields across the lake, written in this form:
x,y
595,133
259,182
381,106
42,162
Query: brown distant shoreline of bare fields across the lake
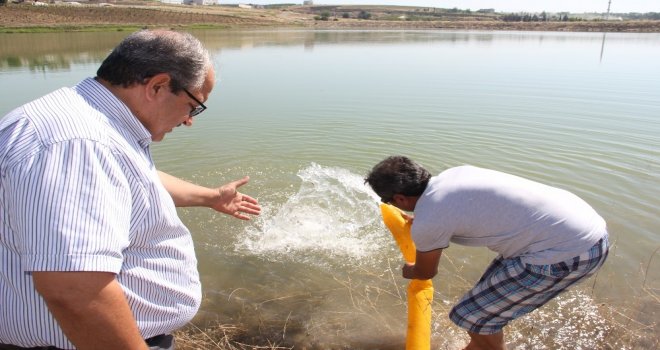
x,y
27,17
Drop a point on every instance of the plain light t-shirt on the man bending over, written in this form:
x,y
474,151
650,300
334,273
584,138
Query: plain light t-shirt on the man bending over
x,y
508,214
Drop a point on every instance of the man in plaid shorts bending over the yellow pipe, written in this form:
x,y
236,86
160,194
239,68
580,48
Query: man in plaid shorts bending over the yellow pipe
x,y
547,238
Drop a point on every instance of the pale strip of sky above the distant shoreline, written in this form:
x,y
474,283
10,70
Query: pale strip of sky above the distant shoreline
x,y
575,6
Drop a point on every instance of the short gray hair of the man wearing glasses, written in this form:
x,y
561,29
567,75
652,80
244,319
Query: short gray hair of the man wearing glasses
x,y
146,53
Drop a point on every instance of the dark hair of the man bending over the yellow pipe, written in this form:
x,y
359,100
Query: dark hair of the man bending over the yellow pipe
x,y
397,175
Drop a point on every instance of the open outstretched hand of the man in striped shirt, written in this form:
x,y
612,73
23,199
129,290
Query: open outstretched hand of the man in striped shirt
x,y
234,203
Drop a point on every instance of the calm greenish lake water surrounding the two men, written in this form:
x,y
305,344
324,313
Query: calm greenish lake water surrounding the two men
x,y
307,113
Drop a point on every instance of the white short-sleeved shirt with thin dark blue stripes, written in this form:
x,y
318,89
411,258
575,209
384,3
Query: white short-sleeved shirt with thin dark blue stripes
x,y
79,192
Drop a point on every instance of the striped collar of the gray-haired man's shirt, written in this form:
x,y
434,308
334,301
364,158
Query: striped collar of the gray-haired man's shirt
x,y
117,112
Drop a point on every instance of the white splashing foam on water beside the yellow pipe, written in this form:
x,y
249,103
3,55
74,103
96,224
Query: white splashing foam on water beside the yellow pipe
x,y
332,217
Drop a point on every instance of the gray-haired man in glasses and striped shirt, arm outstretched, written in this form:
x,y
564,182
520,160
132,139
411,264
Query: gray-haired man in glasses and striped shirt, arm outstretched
x,y
92,252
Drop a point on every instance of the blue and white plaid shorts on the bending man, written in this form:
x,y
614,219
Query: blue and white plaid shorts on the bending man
x,y
510,289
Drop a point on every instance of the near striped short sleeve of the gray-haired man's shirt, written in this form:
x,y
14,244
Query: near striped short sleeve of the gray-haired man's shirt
x,y
71,208
